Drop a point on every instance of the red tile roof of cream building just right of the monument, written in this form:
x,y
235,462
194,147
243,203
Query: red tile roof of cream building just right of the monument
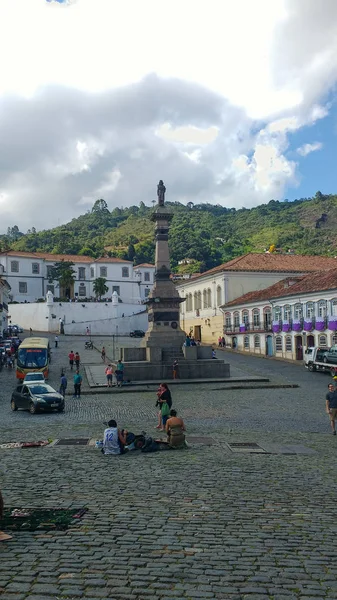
x,y
275,263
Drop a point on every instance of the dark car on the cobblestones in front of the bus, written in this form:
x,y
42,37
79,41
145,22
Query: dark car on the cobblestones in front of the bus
x,y
35,397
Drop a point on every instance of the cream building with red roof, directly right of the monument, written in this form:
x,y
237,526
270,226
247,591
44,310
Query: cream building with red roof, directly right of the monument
x,y
205,294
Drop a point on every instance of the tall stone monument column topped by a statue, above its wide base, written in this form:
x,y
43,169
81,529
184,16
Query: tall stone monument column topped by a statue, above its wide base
x,y
163,302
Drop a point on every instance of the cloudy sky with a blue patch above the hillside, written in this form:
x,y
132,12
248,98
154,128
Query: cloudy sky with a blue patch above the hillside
x,y
230,102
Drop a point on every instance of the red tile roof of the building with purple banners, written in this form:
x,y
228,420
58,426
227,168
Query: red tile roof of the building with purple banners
x,y
315,282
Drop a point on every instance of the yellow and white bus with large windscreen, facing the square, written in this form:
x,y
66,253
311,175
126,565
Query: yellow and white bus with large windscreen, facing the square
x,y
33,356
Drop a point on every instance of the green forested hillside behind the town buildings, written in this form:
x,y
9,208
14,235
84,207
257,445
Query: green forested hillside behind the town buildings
x,y
208,234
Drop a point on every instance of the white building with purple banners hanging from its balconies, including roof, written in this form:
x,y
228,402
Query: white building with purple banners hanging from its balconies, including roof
x,y
286,318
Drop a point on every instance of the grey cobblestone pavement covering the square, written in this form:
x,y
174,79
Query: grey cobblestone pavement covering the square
x,y
200,523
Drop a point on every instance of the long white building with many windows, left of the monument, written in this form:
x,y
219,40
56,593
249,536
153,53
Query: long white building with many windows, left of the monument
x,y
28,274
